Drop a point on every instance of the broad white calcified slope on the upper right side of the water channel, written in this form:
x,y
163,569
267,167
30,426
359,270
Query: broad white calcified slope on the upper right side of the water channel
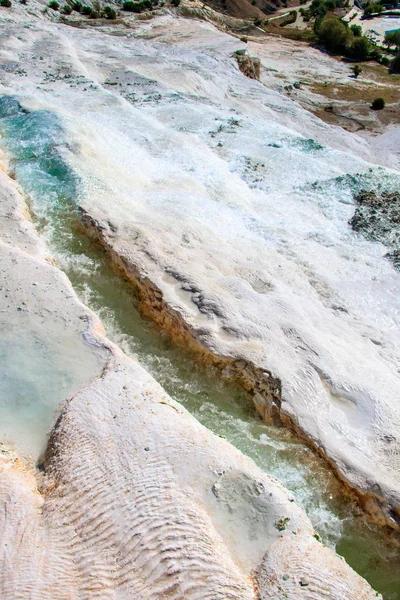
x,y
232,204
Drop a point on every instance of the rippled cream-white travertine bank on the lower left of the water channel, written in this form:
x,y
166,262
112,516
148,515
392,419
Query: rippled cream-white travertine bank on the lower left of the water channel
x,y
135,499
